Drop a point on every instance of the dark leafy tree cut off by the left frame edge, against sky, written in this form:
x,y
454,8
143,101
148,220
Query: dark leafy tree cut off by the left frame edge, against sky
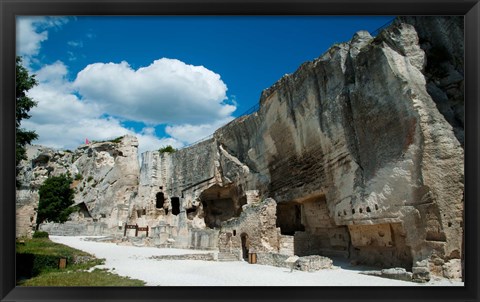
x,y
24,82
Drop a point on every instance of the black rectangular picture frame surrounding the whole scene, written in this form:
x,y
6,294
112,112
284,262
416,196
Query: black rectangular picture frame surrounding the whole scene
x,y
10,8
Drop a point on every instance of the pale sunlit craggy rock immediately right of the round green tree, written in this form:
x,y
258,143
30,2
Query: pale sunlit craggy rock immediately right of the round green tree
x,y
110,173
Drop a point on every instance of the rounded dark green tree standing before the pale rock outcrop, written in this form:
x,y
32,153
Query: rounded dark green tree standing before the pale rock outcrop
x,y
56,198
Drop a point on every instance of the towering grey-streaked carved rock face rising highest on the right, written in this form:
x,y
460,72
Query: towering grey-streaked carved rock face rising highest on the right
x,y
360,126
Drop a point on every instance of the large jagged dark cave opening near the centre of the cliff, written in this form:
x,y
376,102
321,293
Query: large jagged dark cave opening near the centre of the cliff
x,y
220,204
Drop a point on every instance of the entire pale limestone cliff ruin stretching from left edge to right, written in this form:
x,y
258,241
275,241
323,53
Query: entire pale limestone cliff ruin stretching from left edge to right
x,y
358,154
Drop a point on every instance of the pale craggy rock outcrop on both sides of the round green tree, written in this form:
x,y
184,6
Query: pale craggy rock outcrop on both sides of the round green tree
x,y
105,178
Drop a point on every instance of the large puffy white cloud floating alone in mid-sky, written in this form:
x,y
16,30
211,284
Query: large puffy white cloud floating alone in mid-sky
x,y
166,92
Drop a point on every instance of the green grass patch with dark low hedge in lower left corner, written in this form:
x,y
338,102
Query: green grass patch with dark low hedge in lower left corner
x,y
38,261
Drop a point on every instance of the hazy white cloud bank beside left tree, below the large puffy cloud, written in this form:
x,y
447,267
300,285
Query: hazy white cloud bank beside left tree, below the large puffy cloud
x,y
62,120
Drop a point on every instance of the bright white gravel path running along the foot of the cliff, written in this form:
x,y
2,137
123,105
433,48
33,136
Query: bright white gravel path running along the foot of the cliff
x,y
134,262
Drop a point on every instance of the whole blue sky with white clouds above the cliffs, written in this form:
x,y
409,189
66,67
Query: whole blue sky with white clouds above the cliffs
x,y
167,80
